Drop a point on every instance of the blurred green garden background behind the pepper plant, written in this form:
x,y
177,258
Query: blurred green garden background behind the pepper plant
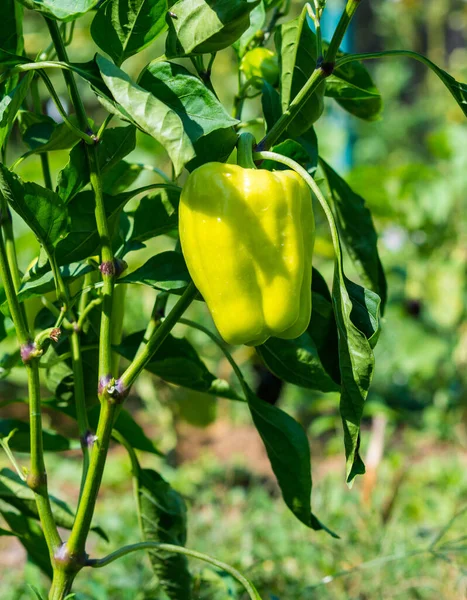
x,y
411,169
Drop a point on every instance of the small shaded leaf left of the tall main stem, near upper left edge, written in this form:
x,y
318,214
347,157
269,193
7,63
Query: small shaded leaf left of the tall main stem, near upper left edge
x,y
43,134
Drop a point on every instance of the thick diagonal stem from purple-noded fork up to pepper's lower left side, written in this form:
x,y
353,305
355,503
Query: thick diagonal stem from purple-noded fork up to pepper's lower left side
x,y
160,334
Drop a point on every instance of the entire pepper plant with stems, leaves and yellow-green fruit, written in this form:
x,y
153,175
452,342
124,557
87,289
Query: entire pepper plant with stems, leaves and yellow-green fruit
x,y
256,286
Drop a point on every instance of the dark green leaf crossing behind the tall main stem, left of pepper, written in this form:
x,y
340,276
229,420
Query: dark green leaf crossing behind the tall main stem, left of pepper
x,y
114,145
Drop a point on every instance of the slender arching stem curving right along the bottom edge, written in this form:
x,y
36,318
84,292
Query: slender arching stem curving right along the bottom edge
x,y
102,562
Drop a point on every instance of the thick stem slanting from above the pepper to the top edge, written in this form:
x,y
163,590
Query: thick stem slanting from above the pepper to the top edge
x,y
317,77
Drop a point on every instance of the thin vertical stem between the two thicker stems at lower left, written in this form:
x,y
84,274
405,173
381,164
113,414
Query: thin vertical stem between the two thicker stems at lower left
x,y
80,401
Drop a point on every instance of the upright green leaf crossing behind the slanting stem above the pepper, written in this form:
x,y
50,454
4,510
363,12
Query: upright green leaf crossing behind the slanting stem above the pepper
x,y
296,46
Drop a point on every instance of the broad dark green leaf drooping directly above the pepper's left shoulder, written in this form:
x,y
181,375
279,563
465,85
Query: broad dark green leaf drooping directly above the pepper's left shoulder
x,y
198,108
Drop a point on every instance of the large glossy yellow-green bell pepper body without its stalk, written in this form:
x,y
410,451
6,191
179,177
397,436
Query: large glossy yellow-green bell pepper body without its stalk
x,y
247,236
